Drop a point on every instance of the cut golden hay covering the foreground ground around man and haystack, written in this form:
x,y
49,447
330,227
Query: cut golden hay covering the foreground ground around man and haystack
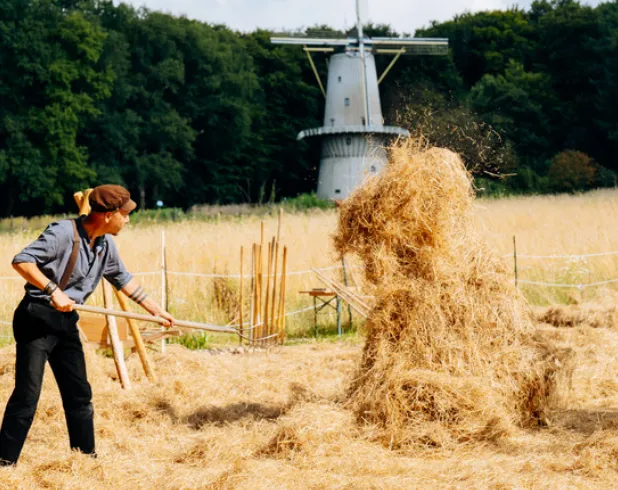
x,y
277,419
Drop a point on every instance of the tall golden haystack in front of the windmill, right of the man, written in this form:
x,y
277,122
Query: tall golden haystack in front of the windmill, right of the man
x,y
451,353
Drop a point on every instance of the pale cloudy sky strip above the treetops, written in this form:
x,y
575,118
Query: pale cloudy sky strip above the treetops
x,y
405,16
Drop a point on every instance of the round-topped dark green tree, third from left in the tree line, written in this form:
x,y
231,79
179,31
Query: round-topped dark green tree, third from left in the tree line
x,y
218,98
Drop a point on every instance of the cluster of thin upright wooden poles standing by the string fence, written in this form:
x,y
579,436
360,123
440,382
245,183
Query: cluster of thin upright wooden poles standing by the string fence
x,y
268,283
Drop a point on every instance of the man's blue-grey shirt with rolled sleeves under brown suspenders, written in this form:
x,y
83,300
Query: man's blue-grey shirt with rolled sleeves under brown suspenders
x,y
52,251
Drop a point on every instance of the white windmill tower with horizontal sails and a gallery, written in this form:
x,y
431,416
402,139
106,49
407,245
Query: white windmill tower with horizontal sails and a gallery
x,y
353,134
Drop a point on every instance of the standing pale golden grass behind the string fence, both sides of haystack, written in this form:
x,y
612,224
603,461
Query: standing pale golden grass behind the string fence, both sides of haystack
x,y
543,225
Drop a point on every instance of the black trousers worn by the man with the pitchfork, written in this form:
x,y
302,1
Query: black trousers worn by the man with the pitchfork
x,y
46,335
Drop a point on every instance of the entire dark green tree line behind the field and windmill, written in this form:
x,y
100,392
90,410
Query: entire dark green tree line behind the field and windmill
x,y
186,112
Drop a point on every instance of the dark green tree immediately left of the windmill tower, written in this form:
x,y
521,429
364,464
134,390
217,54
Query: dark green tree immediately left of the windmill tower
x,y
288,101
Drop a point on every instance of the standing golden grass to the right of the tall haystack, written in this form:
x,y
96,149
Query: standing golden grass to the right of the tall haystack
x,y
556,225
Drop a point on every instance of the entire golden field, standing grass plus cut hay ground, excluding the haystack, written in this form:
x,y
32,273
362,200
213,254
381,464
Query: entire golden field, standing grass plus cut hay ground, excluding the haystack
x,y
279,418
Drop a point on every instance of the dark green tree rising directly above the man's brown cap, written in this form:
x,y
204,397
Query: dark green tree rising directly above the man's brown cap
x,y
142,139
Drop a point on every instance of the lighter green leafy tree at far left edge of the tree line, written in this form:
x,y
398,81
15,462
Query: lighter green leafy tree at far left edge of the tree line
x,y
49,86
